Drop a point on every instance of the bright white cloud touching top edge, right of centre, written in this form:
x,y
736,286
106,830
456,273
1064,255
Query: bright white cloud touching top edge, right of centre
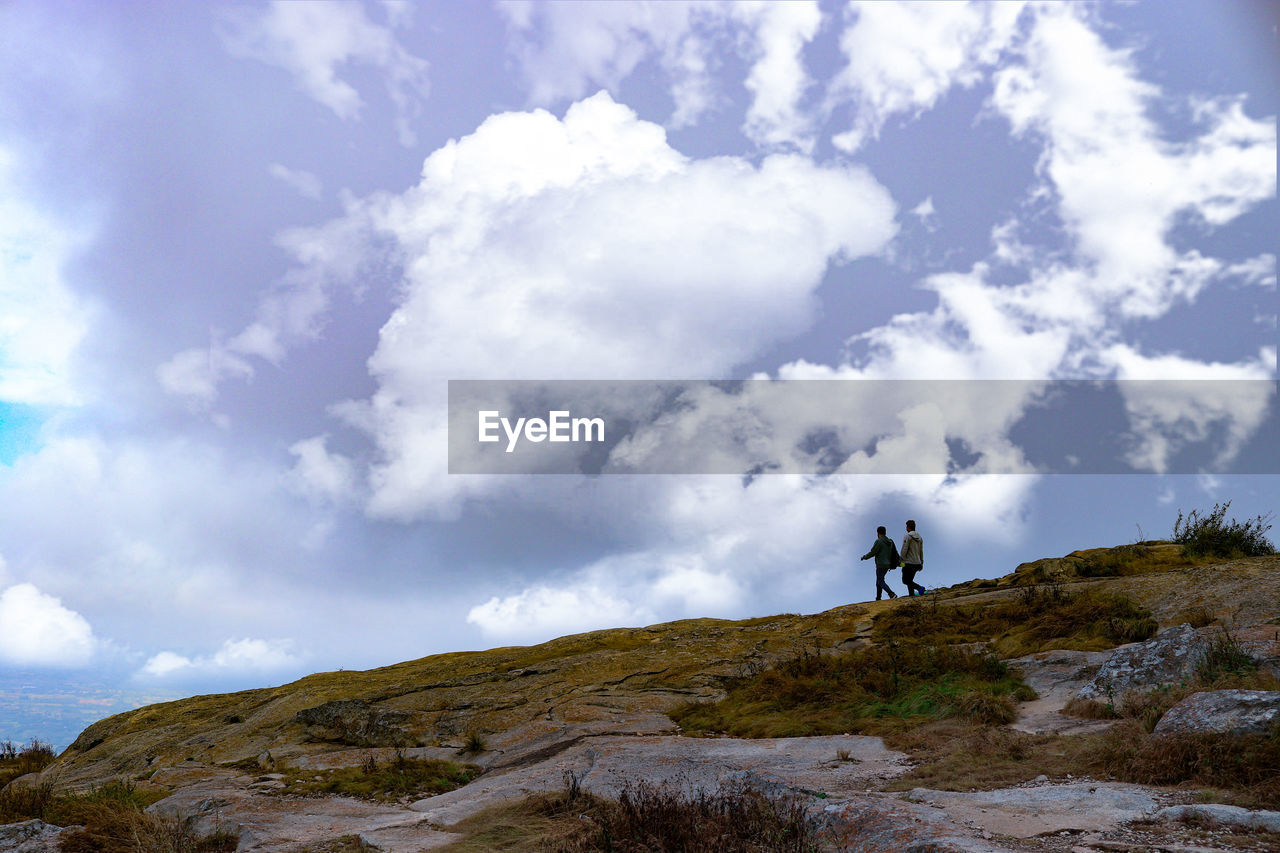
x,y
902,58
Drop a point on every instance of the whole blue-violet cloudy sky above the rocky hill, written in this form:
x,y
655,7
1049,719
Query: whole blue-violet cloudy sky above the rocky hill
x,y
245,248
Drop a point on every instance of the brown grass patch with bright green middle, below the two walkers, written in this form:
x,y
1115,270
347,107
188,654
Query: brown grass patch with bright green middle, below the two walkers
x,y
870,691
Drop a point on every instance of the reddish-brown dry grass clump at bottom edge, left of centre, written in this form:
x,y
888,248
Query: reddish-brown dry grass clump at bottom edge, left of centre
x,y
646,819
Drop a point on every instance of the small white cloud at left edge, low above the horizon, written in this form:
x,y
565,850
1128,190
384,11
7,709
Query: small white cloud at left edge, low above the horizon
x,y
38,631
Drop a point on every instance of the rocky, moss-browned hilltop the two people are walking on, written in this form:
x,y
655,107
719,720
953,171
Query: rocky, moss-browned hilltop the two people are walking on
x,y
595,709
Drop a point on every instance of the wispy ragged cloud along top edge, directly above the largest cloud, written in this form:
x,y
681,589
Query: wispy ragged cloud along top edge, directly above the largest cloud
x,y
568,49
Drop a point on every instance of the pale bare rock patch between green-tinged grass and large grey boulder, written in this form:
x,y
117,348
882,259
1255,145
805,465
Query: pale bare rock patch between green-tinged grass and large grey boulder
x,y
1057,677
